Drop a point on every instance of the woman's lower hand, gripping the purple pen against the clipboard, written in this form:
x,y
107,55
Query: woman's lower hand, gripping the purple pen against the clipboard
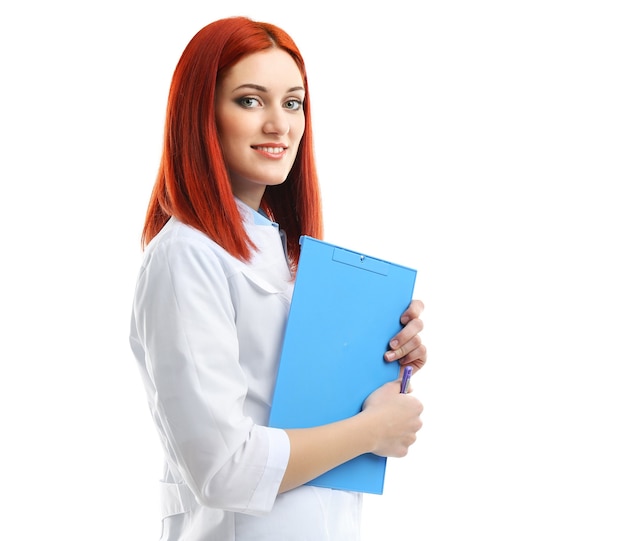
x,y
394,418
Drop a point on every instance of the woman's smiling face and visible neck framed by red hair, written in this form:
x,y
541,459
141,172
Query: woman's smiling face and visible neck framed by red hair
x,y
260,119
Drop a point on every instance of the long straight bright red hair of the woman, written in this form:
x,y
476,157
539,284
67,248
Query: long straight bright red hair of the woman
x,y
192,183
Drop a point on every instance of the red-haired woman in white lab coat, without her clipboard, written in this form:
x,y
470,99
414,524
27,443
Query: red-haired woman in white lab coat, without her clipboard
x,y
213,296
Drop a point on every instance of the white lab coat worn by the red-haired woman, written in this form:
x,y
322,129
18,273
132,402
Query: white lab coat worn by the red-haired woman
x,y
206,331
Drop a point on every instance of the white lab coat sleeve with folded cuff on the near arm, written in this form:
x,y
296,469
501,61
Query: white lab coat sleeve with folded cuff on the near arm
x,y
184,329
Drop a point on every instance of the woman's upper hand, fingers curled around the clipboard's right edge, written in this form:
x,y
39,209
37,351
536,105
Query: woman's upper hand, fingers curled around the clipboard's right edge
x,y
406,346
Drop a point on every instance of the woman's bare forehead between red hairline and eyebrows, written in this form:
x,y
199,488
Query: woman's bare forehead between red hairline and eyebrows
x,y
270,68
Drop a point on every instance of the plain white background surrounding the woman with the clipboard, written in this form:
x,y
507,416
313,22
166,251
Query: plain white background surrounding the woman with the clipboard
x,y
481,142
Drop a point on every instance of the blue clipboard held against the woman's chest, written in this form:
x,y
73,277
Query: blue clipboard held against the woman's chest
x,y
346,307
